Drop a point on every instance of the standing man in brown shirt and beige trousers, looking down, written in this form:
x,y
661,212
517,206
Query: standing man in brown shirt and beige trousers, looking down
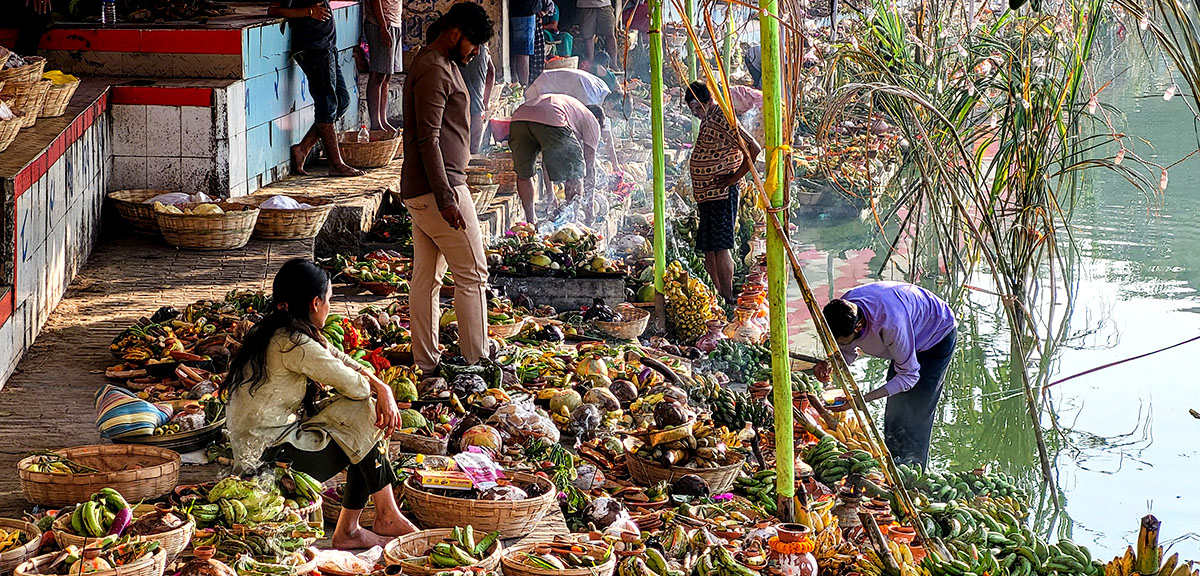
x,y
434,185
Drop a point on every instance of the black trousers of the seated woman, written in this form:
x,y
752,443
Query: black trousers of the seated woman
x,y
370,476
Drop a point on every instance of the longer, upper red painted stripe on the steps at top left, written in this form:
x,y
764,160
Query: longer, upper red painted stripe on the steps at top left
x,y
145,41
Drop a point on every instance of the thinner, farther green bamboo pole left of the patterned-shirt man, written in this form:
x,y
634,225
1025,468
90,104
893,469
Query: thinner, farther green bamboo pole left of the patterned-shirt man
x,y
659,160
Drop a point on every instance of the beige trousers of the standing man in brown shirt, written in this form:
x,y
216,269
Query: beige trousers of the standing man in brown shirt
x,y
436,247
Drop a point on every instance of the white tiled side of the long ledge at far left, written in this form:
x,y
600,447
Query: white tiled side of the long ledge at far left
x,y
58,223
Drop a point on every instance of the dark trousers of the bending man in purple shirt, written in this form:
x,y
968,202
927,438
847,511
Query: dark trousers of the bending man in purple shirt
x,y
909,417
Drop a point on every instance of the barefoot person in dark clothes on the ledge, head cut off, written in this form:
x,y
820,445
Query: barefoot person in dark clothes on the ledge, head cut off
x,y
315,49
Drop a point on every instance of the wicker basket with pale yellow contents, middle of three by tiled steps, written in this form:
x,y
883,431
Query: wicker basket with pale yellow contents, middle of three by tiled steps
x,y
227,231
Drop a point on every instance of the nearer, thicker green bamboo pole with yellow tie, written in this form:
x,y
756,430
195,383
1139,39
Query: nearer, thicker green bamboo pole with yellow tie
x,y
777,263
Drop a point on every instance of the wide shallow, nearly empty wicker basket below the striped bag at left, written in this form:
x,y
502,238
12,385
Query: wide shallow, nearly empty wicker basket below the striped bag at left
x,y
139,473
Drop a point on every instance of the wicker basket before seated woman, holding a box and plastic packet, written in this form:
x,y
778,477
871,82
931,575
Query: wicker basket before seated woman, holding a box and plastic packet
x,y
513,519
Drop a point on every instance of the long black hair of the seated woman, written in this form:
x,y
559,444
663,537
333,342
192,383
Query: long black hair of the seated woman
x,y
298,283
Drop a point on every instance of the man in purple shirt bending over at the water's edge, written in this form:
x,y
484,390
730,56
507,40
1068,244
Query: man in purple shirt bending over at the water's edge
x,y
916,331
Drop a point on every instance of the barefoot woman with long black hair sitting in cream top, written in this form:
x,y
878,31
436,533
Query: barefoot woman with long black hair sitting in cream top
x,y
279,410
